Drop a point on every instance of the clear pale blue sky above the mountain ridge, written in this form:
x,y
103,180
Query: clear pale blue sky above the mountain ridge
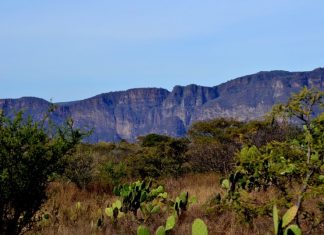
x,y
74,49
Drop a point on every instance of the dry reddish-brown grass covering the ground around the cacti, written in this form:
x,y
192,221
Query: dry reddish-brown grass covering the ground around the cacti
x,y
65,218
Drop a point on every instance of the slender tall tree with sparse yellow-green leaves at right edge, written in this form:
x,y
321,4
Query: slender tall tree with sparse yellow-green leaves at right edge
x,y
304,106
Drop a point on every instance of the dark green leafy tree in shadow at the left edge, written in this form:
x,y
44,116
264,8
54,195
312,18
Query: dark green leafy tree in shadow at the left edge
x,y
29,155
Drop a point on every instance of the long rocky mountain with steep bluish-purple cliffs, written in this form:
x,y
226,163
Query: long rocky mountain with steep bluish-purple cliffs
x,y
129,114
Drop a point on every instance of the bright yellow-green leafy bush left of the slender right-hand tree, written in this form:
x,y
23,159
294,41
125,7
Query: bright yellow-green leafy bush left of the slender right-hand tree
x,y
274,164
